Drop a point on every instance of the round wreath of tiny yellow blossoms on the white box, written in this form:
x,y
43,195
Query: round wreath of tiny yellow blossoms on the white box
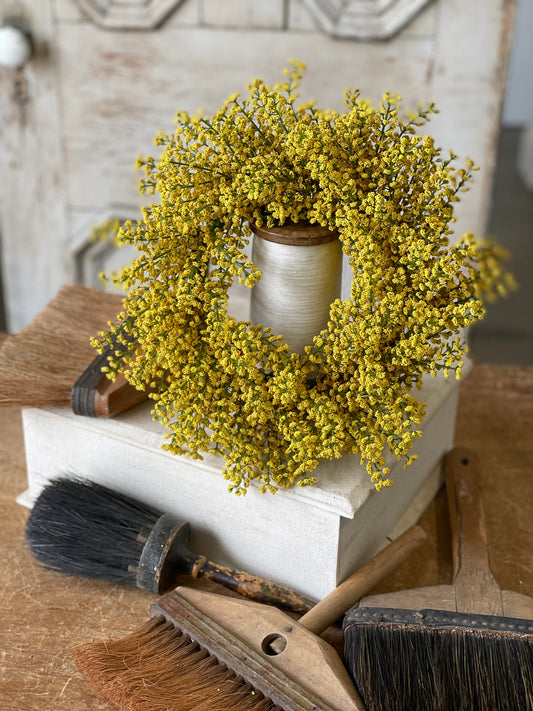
x,y
234,388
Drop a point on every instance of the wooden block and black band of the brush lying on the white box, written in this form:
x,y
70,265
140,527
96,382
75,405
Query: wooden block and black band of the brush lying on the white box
x,y
94,395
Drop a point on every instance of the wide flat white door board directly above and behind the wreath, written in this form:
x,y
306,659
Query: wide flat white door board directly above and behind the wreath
x,y
109,122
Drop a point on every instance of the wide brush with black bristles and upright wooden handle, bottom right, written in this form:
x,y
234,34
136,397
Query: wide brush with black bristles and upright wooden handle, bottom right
x,y
461,647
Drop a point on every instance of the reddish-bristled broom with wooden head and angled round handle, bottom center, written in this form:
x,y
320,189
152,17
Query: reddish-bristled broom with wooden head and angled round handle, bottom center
x,y
204,651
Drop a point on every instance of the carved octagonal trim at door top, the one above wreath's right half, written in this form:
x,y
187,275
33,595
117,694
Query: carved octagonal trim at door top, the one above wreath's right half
x,y
364,19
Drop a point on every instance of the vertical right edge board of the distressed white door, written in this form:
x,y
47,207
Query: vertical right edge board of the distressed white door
x,y
468,79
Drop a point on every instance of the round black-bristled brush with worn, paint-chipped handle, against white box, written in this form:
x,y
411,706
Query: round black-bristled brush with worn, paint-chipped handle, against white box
x,y
85,529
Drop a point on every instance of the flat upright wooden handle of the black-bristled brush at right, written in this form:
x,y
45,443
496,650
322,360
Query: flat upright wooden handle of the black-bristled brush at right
x,y
476,590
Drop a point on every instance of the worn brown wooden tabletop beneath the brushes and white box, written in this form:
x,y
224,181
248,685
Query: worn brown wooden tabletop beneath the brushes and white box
x,y
42,614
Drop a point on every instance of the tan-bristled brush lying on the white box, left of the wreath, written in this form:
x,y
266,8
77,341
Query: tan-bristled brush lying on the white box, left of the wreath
x,y
51,362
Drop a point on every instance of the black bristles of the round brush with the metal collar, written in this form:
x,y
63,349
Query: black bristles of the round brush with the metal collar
x,y
85,529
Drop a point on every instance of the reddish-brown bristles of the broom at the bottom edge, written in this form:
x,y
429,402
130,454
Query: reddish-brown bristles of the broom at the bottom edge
x,y
157,668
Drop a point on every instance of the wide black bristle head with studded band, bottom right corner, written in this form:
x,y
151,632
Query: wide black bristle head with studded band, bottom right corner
x,y
428,660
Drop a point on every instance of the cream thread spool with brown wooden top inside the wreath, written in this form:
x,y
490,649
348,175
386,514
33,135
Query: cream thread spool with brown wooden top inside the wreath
x,y
301,267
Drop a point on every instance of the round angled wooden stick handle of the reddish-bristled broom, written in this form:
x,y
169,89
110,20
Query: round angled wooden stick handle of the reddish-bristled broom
x,y
361,582
